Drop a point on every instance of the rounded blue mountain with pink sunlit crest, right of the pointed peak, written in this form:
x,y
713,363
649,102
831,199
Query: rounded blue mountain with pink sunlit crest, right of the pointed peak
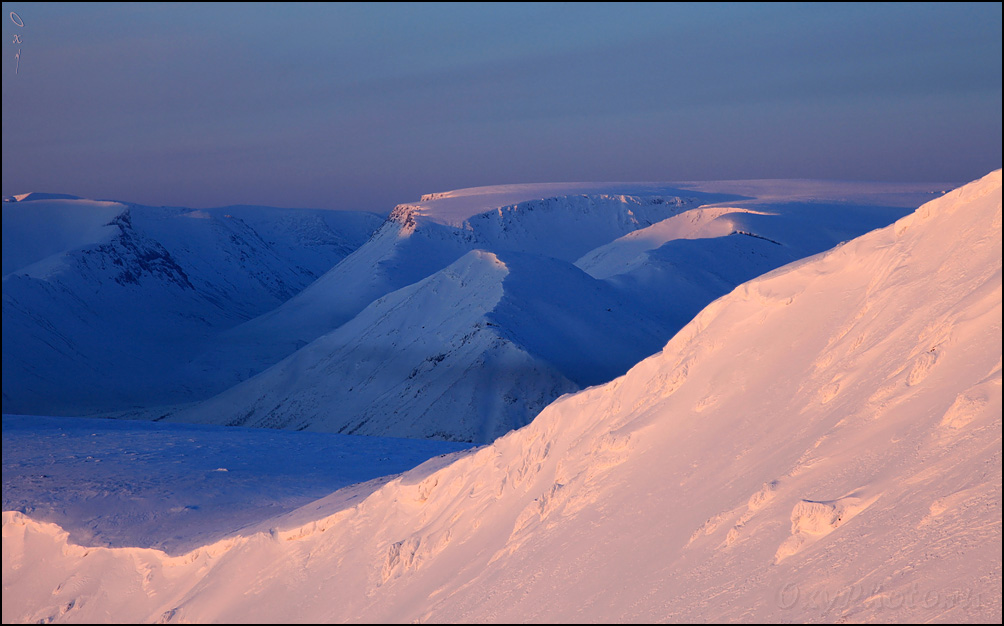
x,y
678,266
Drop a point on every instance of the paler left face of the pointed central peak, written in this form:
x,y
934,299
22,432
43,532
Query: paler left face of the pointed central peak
x,y
409,365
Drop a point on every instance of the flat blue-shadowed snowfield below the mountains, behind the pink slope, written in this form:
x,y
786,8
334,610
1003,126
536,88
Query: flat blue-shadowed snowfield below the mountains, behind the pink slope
x,y
175,487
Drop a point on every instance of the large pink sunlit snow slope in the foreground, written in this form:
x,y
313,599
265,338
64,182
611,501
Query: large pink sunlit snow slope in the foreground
x,y
824,444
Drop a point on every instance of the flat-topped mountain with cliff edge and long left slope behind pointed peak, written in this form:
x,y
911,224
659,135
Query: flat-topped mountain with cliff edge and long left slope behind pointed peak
x,y
421,239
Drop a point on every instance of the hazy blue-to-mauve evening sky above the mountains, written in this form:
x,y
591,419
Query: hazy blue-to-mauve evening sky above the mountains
x,y
364,107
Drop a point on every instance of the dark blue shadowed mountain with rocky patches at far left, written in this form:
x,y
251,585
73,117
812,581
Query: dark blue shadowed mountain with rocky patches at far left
x,y
104,301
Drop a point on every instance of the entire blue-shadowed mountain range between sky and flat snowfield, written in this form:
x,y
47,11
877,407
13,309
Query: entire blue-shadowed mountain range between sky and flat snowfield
x,y
459,319
